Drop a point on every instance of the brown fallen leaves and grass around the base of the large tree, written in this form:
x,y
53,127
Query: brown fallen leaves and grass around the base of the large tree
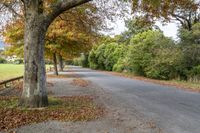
x,y
73,108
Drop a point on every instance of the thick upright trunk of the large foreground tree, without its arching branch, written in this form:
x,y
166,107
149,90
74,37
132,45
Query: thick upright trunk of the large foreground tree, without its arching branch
x,y
34,89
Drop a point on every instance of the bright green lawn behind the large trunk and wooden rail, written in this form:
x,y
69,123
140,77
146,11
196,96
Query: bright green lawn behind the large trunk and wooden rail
x,y
8,71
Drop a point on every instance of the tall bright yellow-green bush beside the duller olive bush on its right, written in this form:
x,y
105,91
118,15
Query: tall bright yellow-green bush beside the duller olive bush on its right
x,y
142,50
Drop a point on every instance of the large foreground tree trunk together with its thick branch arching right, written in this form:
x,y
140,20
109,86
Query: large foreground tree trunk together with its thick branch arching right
x,y
36,24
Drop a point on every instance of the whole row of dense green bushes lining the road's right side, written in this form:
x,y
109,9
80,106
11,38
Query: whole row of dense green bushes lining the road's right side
x,y
149,53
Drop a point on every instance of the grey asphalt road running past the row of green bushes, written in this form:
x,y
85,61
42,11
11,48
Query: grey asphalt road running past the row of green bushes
x,y
173,110
